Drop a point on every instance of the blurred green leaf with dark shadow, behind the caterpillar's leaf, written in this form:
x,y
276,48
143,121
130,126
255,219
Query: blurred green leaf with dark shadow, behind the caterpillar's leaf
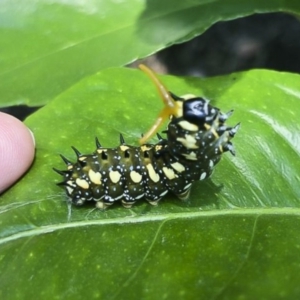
x,y
47,46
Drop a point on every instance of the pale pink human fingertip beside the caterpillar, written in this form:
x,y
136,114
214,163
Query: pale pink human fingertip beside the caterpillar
x,y
17,148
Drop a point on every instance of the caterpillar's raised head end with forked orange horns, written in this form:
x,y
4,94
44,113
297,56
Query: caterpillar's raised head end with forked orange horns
x,y
197,129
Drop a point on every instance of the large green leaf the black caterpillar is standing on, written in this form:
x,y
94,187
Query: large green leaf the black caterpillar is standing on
x,y
237,237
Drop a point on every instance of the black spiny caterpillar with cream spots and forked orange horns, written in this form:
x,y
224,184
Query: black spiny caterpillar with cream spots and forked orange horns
x,y
196,138
